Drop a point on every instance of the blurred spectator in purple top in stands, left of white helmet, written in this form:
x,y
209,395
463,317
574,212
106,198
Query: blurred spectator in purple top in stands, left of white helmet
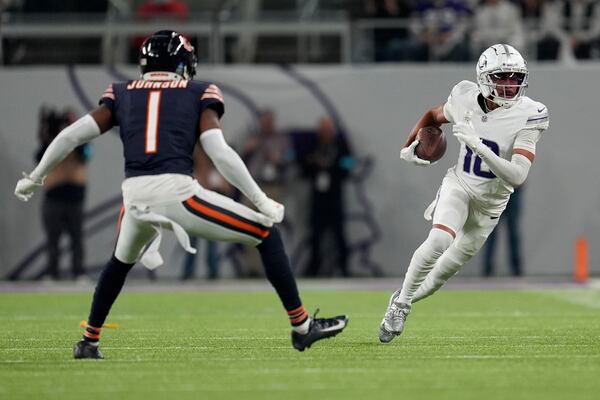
x,y
442,26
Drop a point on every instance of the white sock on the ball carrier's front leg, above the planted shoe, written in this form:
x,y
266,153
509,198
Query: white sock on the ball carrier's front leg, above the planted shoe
x,y
422,262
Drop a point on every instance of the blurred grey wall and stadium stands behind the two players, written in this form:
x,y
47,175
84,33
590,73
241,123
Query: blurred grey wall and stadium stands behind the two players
x,y
304,59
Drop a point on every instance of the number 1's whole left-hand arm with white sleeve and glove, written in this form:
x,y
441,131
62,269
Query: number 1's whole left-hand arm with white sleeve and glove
x,y
81,131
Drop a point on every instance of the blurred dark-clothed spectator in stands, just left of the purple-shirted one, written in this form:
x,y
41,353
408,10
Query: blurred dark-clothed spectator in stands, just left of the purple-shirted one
x,y
389,43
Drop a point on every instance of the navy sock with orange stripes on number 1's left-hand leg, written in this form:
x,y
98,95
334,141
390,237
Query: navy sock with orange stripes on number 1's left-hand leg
x,y
108,288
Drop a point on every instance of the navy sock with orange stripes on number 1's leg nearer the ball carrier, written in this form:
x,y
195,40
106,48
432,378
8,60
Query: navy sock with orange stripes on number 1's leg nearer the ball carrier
x,y
279,273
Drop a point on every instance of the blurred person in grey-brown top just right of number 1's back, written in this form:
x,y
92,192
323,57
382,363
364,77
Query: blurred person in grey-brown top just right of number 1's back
x,y
267,153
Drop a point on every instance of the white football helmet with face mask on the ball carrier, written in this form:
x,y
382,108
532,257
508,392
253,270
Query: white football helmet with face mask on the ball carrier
x,y
502,61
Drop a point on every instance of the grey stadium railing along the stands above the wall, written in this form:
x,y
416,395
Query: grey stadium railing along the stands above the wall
x,y
114,34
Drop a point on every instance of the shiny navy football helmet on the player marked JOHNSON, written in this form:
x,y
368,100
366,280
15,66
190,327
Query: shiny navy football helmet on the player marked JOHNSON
x,y
168,51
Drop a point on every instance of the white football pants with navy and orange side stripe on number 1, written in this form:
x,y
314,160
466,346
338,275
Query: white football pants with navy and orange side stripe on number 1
x,y
200,212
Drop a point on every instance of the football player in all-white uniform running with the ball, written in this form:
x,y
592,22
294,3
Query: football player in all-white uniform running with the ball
x,y
498,128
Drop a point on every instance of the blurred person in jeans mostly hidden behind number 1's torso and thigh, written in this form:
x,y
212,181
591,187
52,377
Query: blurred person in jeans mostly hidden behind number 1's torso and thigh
x,y
207,175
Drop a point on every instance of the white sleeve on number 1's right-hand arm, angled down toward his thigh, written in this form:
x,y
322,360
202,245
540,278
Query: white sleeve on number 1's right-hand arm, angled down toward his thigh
x,y
229,164
